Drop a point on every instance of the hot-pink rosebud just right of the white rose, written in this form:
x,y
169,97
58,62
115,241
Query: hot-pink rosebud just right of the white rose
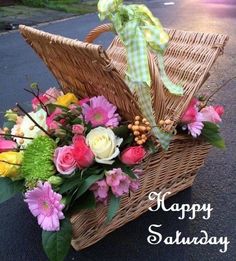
x,y
133,155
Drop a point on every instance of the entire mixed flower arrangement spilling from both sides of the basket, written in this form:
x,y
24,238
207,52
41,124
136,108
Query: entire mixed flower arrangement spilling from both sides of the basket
x,y
69,154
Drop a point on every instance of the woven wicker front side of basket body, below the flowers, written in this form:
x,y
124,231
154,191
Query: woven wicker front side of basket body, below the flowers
x,y
171,171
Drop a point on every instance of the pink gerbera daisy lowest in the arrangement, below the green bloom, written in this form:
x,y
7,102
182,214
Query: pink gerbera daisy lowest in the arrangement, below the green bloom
x,y
45,204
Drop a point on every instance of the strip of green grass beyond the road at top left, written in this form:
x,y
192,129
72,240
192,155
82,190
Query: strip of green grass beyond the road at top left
x,y
69,6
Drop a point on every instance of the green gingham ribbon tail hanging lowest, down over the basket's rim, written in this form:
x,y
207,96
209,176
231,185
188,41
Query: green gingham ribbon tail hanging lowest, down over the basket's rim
x,y
145,103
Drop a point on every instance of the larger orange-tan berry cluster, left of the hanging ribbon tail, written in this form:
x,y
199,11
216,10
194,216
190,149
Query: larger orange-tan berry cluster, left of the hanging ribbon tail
x,y
140,129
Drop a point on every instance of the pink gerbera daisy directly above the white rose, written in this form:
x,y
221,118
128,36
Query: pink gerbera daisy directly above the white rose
x,y
100,112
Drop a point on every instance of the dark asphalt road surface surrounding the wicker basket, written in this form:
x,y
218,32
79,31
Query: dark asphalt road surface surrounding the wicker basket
x,y
20,237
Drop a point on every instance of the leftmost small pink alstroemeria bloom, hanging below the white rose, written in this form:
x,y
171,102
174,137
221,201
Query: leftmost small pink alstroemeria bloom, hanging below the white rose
x,y
100,190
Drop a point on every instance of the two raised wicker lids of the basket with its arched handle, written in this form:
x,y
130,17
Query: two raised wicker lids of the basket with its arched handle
x,y
87,70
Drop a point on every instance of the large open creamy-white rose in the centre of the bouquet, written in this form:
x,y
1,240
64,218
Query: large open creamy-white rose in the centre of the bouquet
x,y
104,144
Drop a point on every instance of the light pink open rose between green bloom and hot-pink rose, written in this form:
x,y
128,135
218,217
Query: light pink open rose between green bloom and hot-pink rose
x,y
64,160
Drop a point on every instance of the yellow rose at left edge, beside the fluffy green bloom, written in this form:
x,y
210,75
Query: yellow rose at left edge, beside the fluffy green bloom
x,y
9,163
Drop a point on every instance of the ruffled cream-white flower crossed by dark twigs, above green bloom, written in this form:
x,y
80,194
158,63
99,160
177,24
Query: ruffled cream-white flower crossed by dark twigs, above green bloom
x,y
27,128
